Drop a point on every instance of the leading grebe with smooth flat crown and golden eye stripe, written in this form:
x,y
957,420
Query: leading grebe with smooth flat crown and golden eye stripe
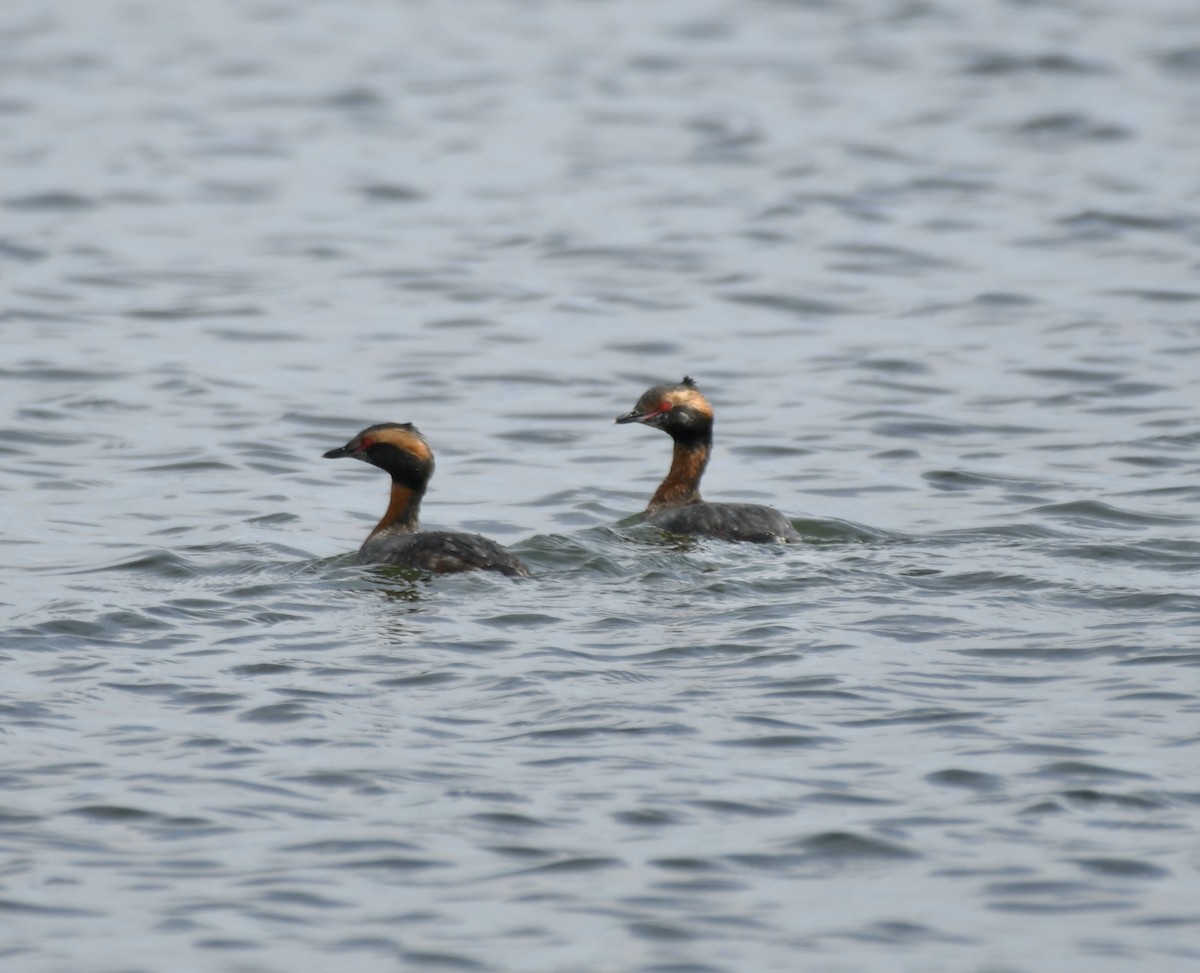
x,y
401,452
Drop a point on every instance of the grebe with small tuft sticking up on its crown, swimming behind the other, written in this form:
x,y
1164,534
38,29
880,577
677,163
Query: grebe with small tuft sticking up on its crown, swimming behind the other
x,y
686,416
